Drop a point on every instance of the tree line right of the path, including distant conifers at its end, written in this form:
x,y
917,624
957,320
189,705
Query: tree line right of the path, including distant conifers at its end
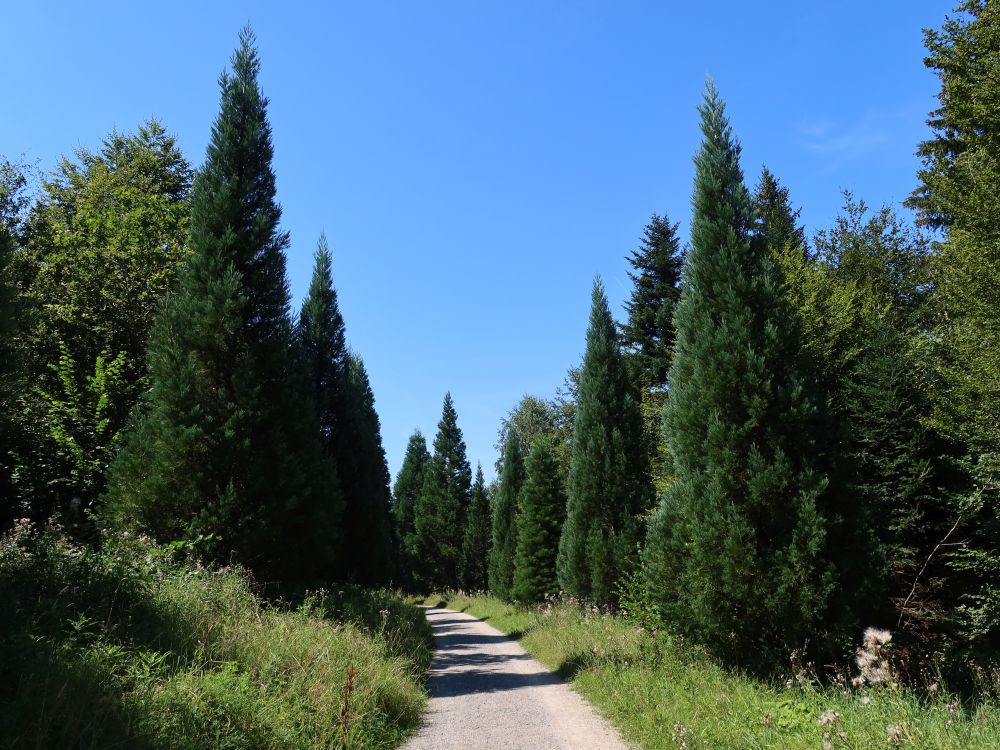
x,y
789,438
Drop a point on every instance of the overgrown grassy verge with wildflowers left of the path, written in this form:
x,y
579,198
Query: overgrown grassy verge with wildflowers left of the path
x,y
127,648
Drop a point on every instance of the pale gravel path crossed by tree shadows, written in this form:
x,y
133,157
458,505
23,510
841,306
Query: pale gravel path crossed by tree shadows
x,y
487,693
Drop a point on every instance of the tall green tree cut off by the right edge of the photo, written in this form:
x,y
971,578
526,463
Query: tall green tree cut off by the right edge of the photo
x,y
960,194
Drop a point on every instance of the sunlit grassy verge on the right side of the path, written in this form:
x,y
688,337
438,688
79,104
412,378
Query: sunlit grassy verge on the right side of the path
x,y
662,693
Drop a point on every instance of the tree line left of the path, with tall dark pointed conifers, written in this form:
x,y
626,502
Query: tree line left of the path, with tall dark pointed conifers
x,y
155,378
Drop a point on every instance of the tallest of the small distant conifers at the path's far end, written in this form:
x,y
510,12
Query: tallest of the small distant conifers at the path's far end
x,y
439,516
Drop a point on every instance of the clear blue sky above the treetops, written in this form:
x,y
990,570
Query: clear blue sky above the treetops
x,y
475,164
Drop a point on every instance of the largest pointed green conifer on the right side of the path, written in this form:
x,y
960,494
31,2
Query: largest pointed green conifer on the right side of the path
x,y
741,553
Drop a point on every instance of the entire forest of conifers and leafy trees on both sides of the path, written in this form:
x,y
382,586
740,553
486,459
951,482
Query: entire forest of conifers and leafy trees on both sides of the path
x,y
788,438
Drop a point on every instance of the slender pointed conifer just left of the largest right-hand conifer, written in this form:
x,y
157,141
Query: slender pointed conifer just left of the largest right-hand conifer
x,y
609,487
